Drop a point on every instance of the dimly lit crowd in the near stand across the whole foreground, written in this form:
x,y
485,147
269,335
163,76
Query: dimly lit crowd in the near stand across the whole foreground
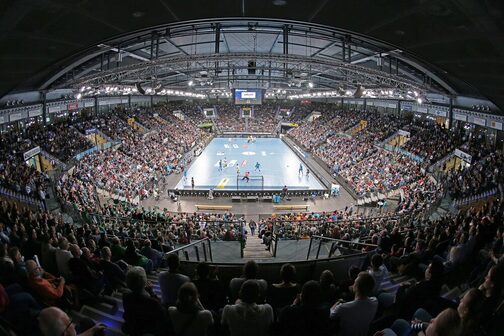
x,y
83,265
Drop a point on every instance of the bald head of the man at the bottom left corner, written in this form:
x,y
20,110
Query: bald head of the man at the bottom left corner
x,y
55,322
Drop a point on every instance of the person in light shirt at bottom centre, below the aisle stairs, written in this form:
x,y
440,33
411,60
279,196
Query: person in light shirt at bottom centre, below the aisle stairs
x,y
246,317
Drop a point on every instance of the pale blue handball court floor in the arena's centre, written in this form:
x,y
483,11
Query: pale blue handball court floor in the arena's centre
x,y
279,166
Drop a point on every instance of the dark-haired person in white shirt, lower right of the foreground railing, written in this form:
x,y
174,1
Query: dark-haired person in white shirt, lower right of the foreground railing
x,y
353,318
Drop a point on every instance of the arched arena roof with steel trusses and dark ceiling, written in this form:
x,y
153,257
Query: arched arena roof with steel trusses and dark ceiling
x,y
458,45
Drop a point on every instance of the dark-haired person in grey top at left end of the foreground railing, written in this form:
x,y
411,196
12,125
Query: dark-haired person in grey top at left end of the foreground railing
x,y
171,280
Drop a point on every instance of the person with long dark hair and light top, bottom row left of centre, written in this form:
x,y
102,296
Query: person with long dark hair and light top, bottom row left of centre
x,y
189,317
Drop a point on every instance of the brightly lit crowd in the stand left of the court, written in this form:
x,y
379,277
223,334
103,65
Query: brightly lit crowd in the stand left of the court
x,y
136,167
